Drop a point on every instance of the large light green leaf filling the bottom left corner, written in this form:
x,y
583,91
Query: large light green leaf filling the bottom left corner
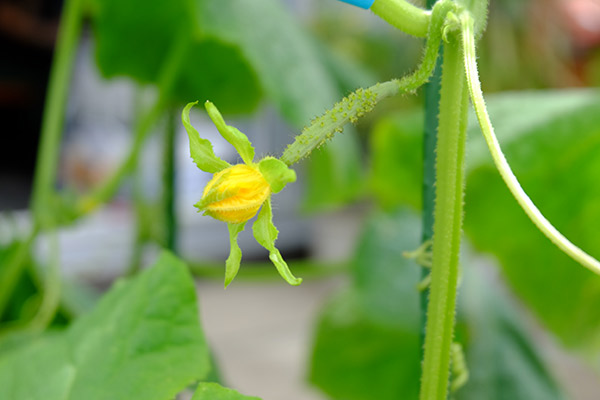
x,y
142,341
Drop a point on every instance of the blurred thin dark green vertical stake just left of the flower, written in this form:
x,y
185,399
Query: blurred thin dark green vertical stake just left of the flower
x,y
169,182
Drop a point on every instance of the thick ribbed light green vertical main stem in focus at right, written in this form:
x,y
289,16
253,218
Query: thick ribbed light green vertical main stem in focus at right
x,y
447,224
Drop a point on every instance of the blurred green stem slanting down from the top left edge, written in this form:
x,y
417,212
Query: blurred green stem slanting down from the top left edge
x,y
43,199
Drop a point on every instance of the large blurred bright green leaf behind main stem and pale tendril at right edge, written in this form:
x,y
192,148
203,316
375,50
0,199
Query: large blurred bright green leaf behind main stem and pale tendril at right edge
x,y
552,141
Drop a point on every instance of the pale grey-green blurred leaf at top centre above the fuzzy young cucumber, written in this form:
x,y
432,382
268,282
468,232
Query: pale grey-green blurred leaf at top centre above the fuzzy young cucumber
x,y
282,54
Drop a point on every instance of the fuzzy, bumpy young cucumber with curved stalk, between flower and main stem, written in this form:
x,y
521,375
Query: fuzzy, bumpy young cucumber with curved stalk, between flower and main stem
x,y
362,101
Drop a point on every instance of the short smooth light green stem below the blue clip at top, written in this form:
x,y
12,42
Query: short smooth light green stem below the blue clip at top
x,y
403,15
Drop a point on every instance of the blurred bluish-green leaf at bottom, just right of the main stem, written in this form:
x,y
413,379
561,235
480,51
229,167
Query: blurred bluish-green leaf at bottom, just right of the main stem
x,y
502,361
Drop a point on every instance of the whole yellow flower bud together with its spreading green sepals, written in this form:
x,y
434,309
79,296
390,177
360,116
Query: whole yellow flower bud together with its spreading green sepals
x,y
236,193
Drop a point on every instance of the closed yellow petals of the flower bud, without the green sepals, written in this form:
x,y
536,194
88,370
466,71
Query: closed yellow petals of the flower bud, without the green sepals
x,y
235,194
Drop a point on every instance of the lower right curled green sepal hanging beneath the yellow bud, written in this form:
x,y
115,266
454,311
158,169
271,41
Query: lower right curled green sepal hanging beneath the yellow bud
x,y
265,234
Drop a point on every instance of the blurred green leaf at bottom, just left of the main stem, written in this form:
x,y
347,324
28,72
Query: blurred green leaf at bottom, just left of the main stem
x,y
367,340
